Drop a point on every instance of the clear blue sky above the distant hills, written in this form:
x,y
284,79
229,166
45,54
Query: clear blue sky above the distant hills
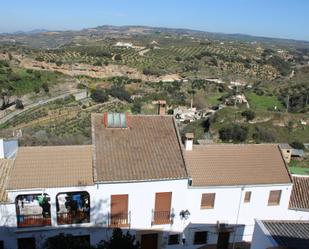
x,y
272,18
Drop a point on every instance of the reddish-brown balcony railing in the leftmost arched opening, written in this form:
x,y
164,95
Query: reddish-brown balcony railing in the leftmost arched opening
x,y
37,220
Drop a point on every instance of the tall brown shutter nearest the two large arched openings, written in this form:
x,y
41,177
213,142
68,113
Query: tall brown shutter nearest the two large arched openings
x,y
119,209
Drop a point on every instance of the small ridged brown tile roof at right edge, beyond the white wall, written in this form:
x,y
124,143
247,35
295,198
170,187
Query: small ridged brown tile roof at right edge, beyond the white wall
x,y
300,193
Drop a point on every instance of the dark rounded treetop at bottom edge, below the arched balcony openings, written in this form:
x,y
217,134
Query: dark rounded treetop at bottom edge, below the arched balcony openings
x,y
67,241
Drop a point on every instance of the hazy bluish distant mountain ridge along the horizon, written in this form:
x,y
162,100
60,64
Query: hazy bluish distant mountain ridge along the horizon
x,y
37,37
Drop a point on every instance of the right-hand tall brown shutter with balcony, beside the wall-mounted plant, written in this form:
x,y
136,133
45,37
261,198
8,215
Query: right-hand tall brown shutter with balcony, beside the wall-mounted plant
x,y
162,208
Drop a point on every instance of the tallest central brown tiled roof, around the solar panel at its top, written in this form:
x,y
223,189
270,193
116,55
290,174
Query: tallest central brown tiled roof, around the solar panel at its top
x,y
148,150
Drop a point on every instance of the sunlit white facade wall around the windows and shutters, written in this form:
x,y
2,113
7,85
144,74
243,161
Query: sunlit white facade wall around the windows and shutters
x,y
142,202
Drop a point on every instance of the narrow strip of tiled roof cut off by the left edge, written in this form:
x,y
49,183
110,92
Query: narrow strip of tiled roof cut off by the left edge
x,y
5,169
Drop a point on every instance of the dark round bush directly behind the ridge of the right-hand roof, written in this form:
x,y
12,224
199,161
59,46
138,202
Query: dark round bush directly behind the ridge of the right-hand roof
x,y
235,132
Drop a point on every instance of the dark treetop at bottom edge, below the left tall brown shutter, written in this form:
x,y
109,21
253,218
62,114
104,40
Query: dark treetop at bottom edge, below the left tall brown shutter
x,y
119,241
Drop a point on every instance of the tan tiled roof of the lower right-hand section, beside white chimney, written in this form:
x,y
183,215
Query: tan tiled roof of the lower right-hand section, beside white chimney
x,y
232,164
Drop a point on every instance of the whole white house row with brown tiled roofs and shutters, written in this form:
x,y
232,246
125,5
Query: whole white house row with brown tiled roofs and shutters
x,y
138,175
